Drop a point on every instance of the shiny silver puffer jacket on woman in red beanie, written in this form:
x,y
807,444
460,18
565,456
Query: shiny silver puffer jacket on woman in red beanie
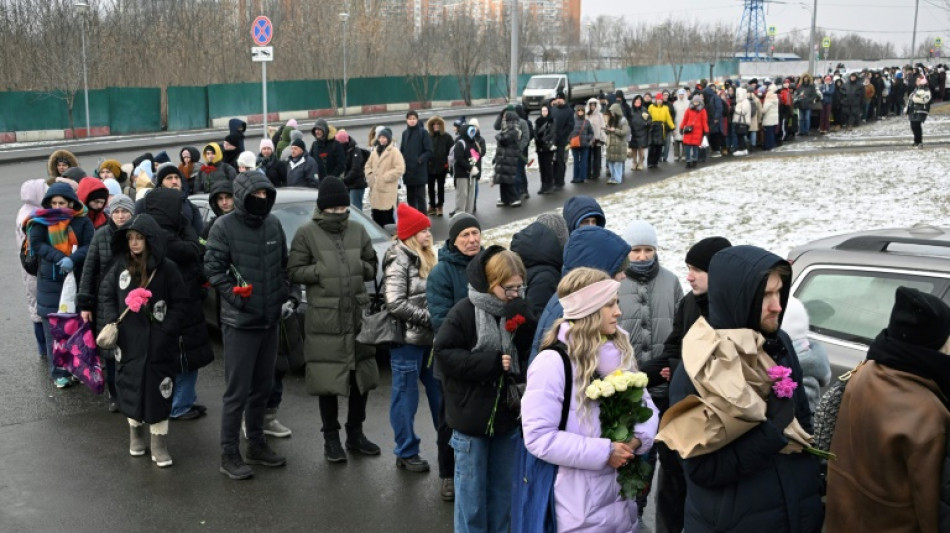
x,y
405,293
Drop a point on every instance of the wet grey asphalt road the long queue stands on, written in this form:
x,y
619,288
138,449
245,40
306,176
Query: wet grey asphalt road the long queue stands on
x,y
64,462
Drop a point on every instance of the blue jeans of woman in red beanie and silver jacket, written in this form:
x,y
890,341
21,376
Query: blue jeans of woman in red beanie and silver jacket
x,y
410,365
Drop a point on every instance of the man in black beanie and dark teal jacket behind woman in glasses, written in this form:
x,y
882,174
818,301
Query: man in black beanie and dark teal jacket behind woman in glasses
x,y
446,286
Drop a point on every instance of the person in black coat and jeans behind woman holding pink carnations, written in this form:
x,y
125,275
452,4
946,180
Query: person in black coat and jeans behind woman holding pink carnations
x,y
184,248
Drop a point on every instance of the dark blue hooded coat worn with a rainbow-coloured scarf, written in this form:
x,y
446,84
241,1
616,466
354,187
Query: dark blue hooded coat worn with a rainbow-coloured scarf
x,y
49,279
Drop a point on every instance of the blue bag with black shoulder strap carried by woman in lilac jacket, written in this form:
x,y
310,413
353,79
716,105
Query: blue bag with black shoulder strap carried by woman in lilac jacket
x,y
532,491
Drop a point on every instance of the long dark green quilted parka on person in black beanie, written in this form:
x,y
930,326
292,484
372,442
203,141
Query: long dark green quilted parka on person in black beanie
x,y
333,258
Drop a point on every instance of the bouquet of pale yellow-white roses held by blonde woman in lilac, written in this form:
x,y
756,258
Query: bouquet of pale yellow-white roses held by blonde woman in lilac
x,y
621,408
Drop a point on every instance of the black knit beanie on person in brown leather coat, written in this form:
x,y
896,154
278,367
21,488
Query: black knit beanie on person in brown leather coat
x,y
919,318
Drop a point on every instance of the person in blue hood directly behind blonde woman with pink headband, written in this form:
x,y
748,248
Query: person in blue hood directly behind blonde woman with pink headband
x,y
589,246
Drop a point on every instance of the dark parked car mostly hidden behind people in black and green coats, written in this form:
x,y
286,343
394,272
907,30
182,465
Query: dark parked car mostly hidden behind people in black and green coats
x,y
293,207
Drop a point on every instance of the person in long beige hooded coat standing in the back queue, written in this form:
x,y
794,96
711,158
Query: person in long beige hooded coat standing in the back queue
x,y
383,170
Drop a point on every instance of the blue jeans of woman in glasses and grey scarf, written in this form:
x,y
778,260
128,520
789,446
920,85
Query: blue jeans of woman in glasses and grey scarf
x,y
483,477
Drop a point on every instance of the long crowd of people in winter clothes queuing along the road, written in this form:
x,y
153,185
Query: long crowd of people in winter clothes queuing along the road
x,y
483,329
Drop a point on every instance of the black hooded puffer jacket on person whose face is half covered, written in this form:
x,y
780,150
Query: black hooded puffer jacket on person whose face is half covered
x,y
256,248
